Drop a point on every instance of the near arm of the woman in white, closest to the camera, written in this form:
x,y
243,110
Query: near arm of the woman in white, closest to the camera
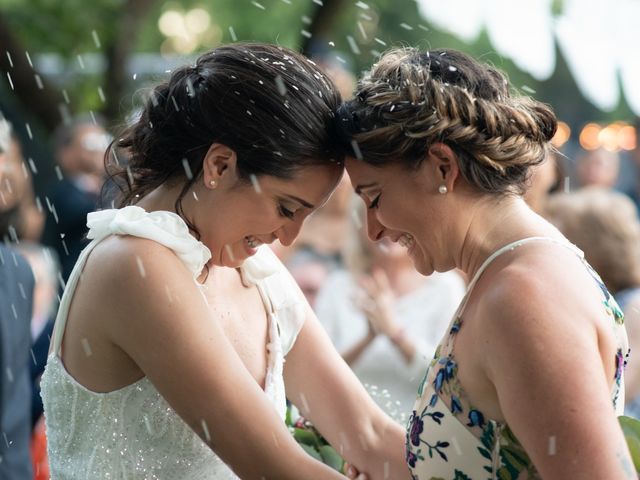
x,y
160,319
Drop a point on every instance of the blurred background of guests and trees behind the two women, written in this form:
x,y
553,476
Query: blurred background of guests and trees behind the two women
x,y
73,73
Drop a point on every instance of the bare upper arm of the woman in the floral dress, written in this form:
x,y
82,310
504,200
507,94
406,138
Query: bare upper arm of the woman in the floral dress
x,y
552,368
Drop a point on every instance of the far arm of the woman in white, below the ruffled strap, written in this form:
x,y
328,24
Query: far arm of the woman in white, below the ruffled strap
x,y
328,393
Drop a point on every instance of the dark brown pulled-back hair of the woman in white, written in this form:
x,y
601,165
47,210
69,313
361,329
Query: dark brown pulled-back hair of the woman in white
x,y
269,104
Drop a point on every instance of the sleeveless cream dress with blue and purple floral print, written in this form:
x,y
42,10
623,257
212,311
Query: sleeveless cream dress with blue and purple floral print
x,y
447,438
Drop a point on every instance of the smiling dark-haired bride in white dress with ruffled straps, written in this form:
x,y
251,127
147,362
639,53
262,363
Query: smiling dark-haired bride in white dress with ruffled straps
x,y
168,355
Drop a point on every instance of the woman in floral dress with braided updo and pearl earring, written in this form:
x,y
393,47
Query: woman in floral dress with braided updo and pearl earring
x,y
528,379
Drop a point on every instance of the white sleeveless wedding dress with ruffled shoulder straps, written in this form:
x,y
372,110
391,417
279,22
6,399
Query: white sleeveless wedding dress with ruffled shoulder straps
x,y
132,432
